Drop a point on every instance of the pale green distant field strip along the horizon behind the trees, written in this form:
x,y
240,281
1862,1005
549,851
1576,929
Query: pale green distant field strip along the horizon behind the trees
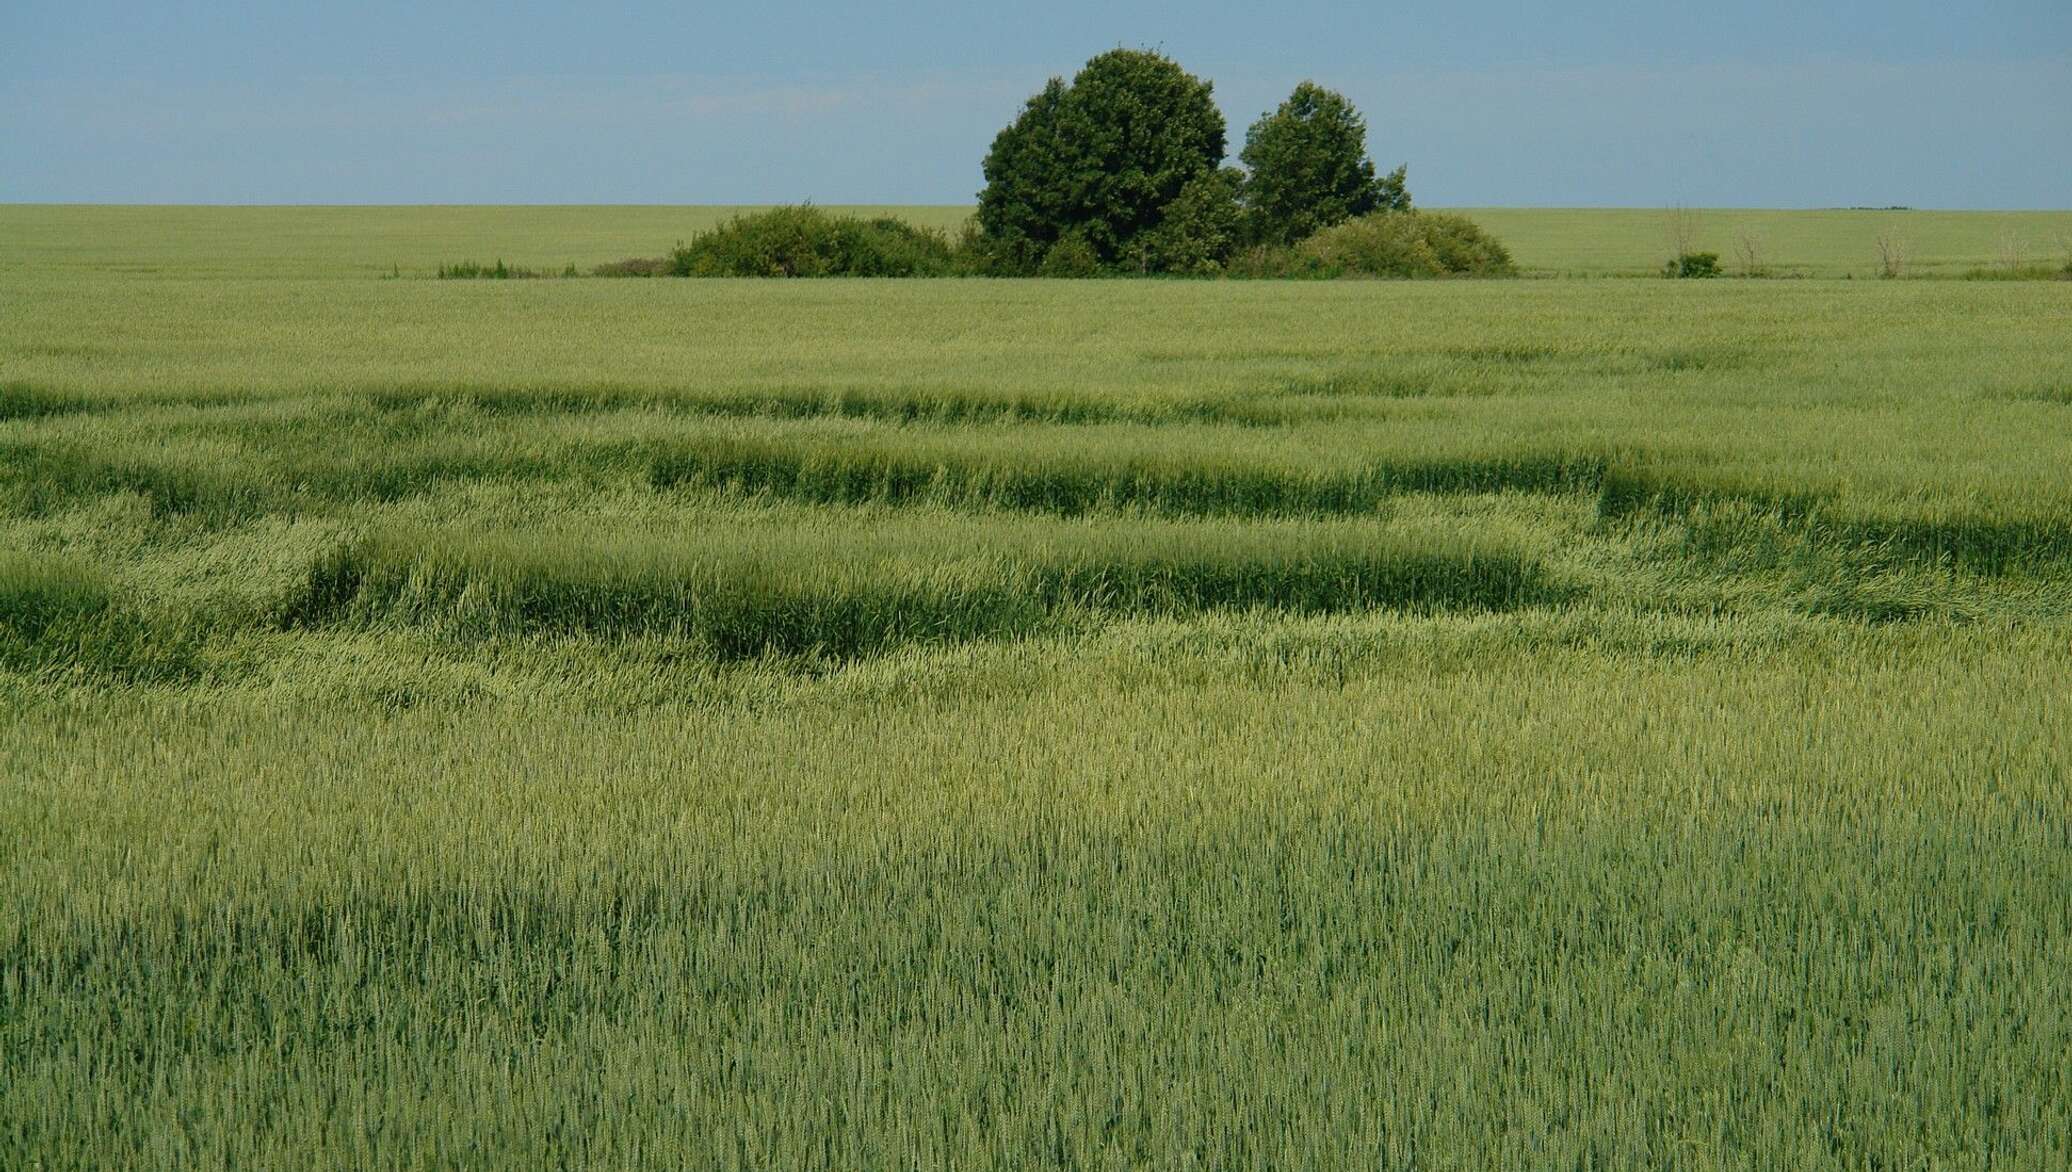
x,y
415,241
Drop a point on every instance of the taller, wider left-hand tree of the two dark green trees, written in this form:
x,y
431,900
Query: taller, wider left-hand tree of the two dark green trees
x,y
1101,163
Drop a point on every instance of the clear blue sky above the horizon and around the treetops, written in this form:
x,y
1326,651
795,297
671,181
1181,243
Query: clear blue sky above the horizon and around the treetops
x,y
1491,102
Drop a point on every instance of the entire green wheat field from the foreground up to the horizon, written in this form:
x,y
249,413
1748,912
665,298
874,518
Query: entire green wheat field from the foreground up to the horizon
x,y
1025,724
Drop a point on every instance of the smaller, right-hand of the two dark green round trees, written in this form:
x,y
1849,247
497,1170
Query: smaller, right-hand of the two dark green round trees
x,y
1308,169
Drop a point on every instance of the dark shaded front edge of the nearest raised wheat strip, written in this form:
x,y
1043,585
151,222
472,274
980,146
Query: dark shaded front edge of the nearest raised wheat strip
x,y
743,610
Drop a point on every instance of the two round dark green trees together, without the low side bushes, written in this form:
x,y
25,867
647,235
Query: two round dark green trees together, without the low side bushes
x,y
1124,171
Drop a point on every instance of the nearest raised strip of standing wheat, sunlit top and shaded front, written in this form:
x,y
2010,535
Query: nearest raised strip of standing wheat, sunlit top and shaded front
x,y
747,591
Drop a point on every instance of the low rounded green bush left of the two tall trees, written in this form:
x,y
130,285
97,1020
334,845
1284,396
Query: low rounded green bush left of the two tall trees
x,y
811,243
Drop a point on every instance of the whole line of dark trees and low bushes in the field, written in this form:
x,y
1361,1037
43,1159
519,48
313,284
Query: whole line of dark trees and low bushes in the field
x,y
1122,173
